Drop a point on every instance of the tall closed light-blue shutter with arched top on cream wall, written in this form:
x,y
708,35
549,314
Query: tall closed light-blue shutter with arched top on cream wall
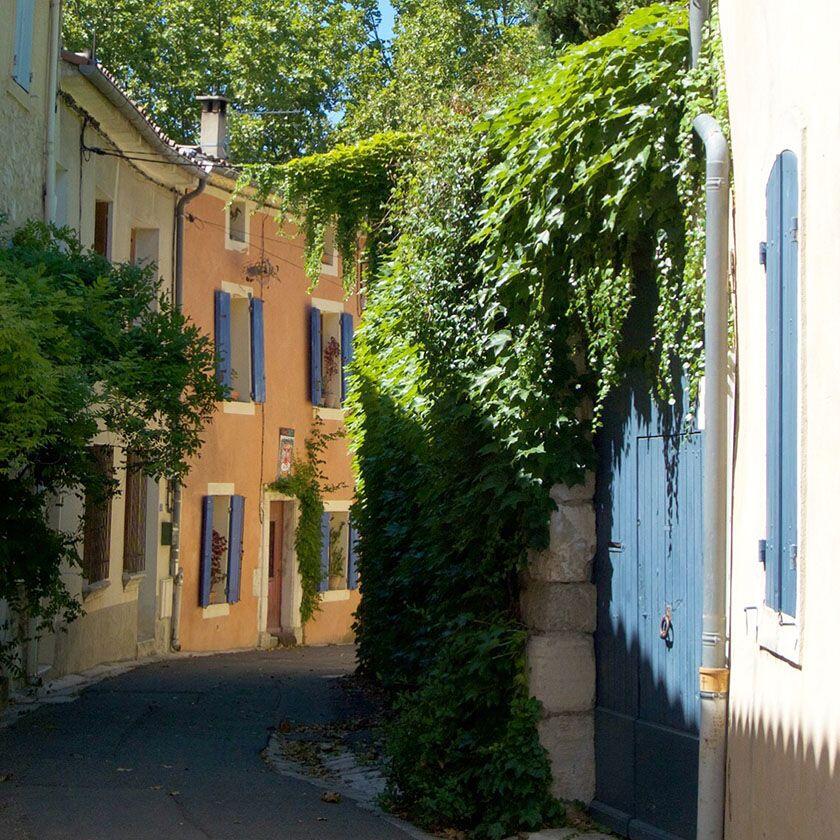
x,y
781,260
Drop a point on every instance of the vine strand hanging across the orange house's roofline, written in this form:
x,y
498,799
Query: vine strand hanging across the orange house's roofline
x,y
347,187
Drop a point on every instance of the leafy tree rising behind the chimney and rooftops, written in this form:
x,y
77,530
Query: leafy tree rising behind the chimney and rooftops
x,y
283,63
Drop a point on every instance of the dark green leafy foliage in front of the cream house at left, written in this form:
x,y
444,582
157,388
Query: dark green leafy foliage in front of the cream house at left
x,y
86,347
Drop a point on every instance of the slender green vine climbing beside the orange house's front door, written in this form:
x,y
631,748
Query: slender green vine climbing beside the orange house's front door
x,y
307,483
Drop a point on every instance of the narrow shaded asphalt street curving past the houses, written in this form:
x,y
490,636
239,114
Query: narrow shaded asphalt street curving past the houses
x,y
172,749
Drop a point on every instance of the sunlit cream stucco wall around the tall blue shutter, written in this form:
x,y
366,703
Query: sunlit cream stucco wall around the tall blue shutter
x,y
783,80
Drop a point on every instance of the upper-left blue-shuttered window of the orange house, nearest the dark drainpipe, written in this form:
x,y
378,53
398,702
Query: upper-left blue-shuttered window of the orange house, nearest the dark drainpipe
x,y
240,345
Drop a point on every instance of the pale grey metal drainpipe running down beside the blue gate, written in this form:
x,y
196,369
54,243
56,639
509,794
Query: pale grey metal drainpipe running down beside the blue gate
x,y
714,666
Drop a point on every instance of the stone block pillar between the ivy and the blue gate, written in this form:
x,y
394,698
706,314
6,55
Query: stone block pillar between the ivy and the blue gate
x,y
558,606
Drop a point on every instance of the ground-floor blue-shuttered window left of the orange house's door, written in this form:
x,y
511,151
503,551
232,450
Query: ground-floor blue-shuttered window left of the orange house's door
x,y
223,519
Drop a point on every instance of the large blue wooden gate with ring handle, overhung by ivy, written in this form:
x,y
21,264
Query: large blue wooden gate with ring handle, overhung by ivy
x,y
648,572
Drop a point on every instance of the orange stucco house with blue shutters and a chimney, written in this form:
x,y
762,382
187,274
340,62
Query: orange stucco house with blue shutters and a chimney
x,y
282,353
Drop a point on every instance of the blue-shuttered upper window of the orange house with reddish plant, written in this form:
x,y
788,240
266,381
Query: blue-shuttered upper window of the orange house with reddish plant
x,y
330,353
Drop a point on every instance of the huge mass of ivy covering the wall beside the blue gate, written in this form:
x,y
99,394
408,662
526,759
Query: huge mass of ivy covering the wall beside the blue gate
x,y
535,255
